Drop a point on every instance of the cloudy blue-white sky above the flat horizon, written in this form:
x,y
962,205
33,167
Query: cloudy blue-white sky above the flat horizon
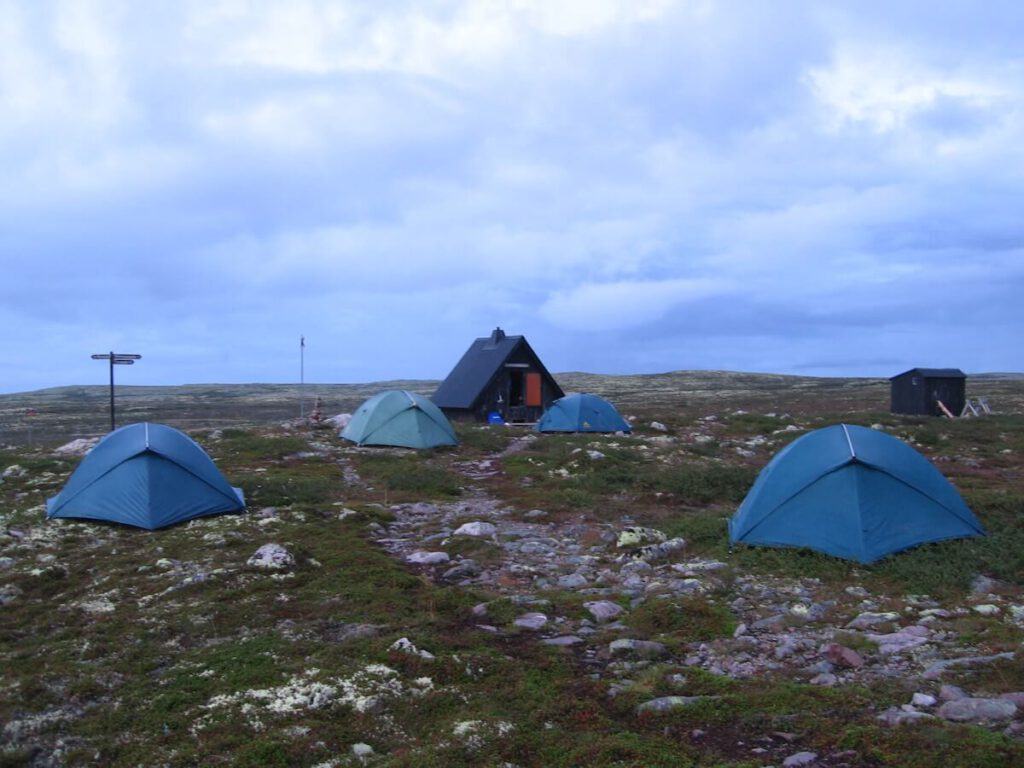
x,y
636,186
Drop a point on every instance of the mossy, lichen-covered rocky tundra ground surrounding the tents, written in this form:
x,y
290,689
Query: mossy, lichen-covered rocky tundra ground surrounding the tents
x,y
521,601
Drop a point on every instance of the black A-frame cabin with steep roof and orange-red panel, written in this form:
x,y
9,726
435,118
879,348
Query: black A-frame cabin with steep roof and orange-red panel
x,y
498,374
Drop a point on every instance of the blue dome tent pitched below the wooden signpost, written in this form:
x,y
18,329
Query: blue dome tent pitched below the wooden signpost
x,y
149,476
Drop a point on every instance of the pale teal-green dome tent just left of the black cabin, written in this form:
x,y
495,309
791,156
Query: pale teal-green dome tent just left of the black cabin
x,y
402,419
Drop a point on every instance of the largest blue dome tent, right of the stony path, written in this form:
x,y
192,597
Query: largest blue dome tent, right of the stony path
x,y
854,493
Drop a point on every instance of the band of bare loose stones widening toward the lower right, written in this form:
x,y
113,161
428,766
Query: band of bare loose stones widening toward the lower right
x,y
800,629
